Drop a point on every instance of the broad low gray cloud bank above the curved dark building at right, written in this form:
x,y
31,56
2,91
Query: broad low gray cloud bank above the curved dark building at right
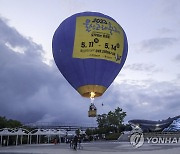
x,y
157,101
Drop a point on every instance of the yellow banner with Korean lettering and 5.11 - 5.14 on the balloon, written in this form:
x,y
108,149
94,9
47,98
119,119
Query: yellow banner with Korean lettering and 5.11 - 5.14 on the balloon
x,y
98,38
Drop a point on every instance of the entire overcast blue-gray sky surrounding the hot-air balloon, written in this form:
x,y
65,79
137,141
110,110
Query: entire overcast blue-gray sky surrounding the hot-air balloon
x,y
32,89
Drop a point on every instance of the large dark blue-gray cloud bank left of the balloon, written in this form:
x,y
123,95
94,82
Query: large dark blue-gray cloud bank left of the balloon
x,y
30,90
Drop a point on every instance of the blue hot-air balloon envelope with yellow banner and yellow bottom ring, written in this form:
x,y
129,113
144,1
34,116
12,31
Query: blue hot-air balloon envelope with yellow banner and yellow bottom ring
x,y
90,49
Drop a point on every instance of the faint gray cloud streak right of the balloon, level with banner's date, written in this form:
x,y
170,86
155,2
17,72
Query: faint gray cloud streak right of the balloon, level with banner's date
x,y
156,44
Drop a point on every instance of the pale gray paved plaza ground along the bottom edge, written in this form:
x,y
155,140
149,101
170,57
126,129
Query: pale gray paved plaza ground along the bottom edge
x,y
94,147
